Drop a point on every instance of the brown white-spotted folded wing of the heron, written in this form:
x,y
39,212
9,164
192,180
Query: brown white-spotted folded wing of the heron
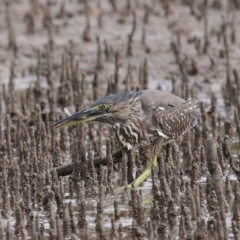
x,y
173,121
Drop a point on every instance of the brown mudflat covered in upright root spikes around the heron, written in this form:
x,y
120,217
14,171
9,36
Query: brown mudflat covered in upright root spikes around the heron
x,y
65,54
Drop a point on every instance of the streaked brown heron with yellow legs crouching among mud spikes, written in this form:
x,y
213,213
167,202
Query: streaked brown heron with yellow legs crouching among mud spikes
x,y
145,118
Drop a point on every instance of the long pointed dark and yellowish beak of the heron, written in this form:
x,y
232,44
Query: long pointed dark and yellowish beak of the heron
x,y
86,115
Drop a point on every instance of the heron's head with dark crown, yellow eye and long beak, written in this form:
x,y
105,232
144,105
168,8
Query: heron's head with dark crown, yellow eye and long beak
x,y
110,109
